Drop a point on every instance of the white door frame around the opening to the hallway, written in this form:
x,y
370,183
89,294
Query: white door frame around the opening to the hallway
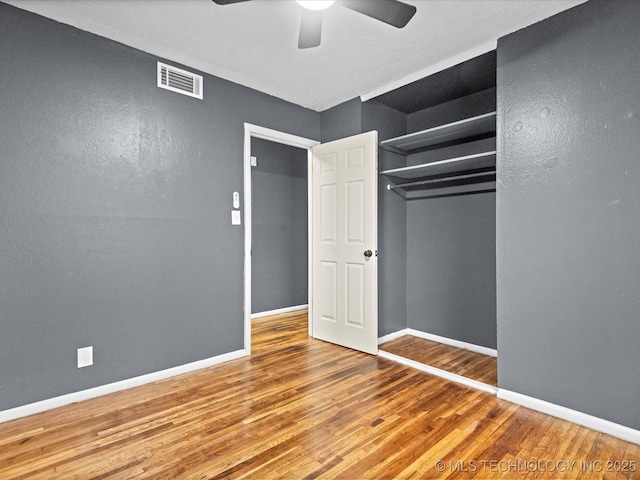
x,y
255,131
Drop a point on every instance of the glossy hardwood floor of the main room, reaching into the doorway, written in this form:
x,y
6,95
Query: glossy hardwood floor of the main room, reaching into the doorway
x,y
300,408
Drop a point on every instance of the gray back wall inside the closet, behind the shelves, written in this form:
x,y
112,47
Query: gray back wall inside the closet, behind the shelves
x,y
451,242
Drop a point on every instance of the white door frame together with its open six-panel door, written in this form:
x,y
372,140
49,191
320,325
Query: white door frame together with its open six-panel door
x,y
342,228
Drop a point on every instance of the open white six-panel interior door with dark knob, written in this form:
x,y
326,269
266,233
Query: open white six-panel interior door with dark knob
x,y
344,300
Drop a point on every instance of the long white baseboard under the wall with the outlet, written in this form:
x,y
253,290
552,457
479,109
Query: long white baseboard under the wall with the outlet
x,y
75,397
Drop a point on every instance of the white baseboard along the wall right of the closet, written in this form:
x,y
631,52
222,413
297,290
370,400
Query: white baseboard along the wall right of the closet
x,y
574,416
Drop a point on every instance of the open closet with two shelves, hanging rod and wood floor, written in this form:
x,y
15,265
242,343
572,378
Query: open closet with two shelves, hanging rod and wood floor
x,y
443,167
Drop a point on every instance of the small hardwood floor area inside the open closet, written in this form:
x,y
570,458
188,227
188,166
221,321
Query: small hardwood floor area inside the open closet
x,y
466,363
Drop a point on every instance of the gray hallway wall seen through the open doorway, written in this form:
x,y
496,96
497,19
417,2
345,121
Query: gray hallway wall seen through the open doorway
x,y
279,251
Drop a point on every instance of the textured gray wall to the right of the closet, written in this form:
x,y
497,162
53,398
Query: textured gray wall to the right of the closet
x,y
568,206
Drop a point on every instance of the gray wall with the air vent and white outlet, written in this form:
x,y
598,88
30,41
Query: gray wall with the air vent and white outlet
x,y
114,210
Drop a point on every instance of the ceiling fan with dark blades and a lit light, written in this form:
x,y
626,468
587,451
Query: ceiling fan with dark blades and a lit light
x,y
392,12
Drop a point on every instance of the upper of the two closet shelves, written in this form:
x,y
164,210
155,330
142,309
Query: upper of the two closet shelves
x,y
469,127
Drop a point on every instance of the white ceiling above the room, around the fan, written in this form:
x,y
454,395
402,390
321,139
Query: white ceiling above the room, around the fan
x,y
255,43
